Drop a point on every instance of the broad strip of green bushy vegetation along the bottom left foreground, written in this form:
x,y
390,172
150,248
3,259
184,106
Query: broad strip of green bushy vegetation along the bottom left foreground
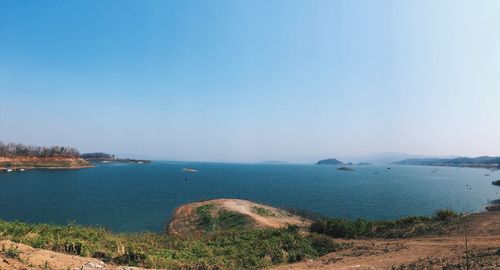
x,y
229,249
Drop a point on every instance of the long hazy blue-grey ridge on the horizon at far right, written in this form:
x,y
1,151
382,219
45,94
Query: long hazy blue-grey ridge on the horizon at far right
x,y
478,162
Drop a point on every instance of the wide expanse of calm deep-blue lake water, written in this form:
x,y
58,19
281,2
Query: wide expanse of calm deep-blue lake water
x,y
140,197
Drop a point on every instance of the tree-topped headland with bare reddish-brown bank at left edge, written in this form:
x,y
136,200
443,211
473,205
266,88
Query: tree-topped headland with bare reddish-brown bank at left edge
x,y
17,156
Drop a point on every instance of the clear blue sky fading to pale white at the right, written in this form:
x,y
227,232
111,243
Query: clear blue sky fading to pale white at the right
x,y
247,81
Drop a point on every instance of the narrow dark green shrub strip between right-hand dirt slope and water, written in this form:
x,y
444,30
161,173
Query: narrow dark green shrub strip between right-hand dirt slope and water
x,y
401,228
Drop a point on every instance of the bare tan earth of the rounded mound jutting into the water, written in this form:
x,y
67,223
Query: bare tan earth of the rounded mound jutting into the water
x,y
186,218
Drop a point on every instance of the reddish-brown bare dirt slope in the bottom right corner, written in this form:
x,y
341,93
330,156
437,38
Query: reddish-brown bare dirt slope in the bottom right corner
x,y
428,252
